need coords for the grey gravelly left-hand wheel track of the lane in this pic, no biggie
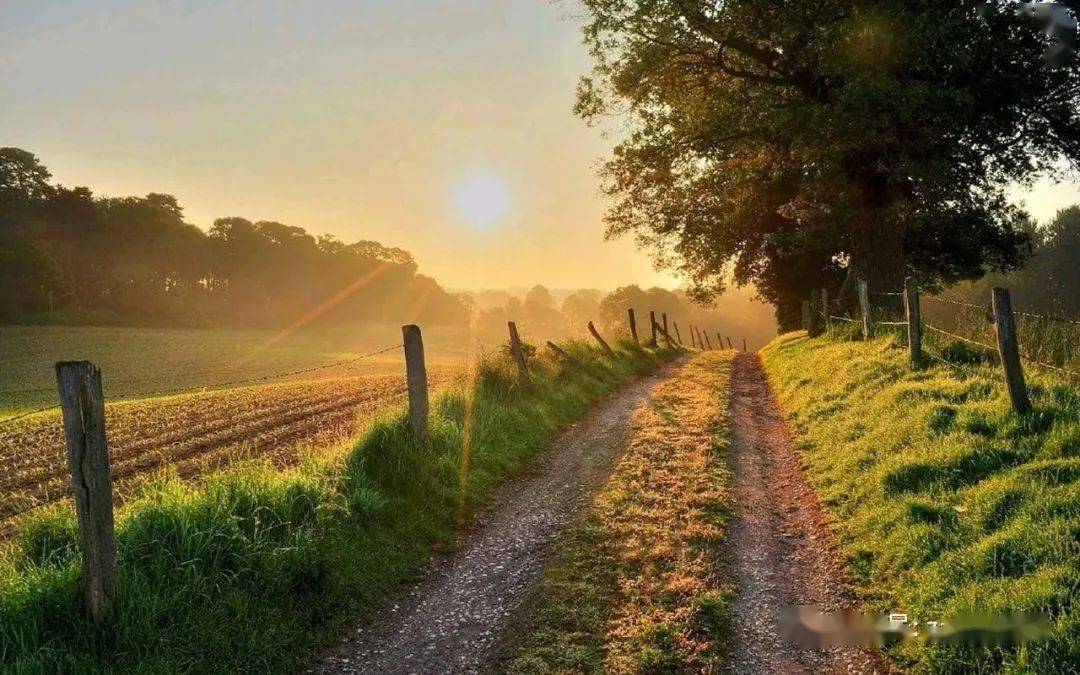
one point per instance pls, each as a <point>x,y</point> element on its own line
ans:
<point>452,622</point>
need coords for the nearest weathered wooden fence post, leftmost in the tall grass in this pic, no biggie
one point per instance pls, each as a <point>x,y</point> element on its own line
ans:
<point>83,403</point>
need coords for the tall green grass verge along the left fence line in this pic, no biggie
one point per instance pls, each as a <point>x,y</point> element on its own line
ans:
<point>255,569</point>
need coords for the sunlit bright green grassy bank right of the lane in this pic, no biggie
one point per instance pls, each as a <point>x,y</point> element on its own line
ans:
<point>946,501</point>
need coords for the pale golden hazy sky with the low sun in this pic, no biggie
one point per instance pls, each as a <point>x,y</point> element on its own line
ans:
<point>442,127</point>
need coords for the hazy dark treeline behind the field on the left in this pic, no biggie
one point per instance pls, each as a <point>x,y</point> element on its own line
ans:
<point>65,253</point>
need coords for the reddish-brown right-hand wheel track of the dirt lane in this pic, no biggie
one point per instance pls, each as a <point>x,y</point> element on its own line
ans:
<point>784,552</point>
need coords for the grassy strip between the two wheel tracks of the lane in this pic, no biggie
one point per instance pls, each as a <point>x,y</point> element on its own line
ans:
<point>638,585</point>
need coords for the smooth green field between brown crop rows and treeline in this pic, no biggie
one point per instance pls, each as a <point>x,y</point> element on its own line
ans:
<point>143,362</point>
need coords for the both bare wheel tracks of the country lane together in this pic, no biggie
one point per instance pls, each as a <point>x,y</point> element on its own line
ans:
<point>458,619</point>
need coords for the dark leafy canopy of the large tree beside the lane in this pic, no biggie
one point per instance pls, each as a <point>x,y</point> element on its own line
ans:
<point>794,144</point>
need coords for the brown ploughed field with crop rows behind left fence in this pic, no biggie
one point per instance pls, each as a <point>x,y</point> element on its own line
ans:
<point>197,431</point>
